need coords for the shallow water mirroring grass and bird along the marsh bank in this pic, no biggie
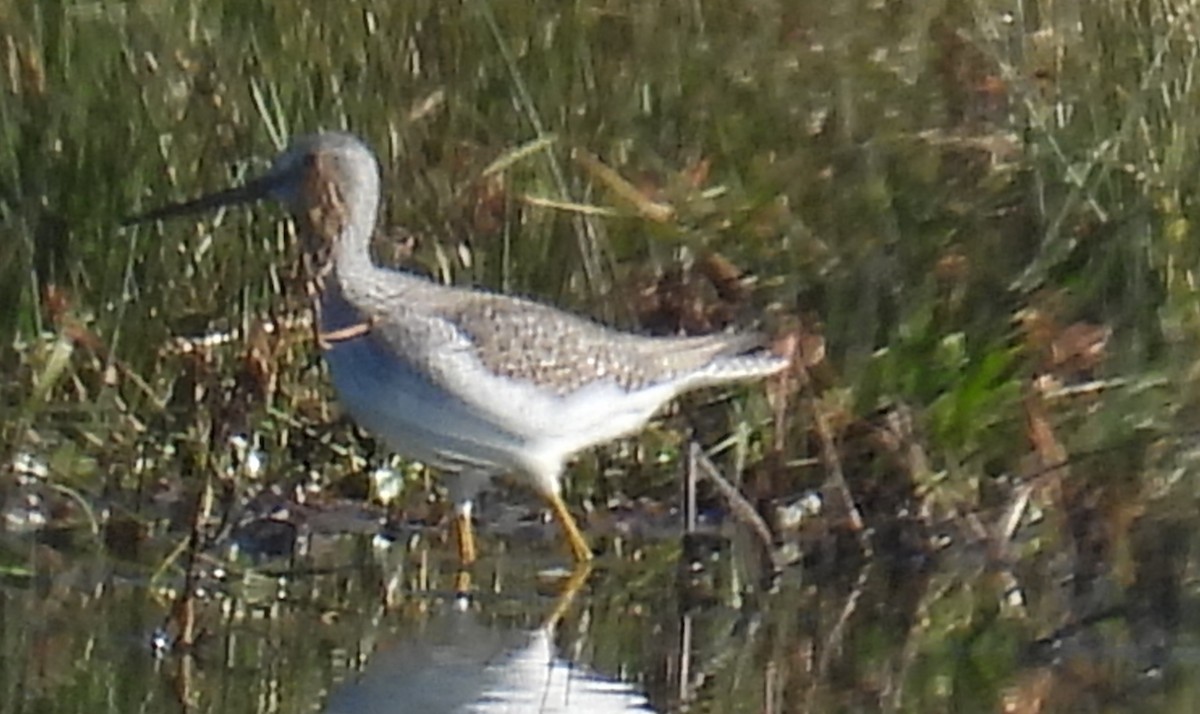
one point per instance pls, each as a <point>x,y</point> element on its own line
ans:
<point>358,628</point>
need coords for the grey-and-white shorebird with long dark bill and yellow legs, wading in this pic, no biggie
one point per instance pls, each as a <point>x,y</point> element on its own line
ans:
<point>475,383</point>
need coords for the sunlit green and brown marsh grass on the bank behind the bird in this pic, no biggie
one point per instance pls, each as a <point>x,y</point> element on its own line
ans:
<point>947,195</point>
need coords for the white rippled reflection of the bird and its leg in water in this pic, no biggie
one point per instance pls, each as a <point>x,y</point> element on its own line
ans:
<point>459,663</point>
